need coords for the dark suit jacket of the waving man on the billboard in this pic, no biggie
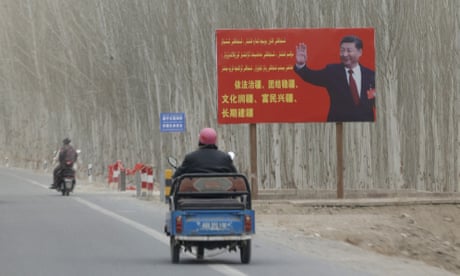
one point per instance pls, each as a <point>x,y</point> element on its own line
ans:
<point>342,107</point>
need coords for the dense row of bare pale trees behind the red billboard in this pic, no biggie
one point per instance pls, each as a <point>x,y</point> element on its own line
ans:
<point>100,72</point>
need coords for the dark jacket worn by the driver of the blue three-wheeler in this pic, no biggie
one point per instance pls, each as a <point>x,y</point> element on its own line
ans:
<point>206,159</point>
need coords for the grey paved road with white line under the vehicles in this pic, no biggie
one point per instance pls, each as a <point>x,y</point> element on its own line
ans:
<point>111,233</point>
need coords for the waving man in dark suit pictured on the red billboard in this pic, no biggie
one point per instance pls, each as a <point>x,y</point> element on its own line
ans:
<point>350,85</point>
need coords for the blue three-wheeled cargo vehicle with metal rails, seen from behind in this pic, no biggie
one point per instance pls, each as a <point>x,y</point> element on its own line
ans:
<point>210,211</point>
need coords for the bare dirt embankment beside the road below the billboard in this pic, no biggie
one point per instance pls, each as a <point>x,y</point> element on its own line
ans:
<point>424,232</point>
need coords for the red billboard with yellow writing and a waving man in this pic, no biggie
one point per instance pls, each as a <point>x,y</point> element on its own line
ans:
<point>295,75</point>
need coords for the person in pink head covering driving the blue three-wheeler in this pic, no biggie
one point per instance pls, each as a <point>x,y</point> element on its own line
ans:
<point>207,158</point>
